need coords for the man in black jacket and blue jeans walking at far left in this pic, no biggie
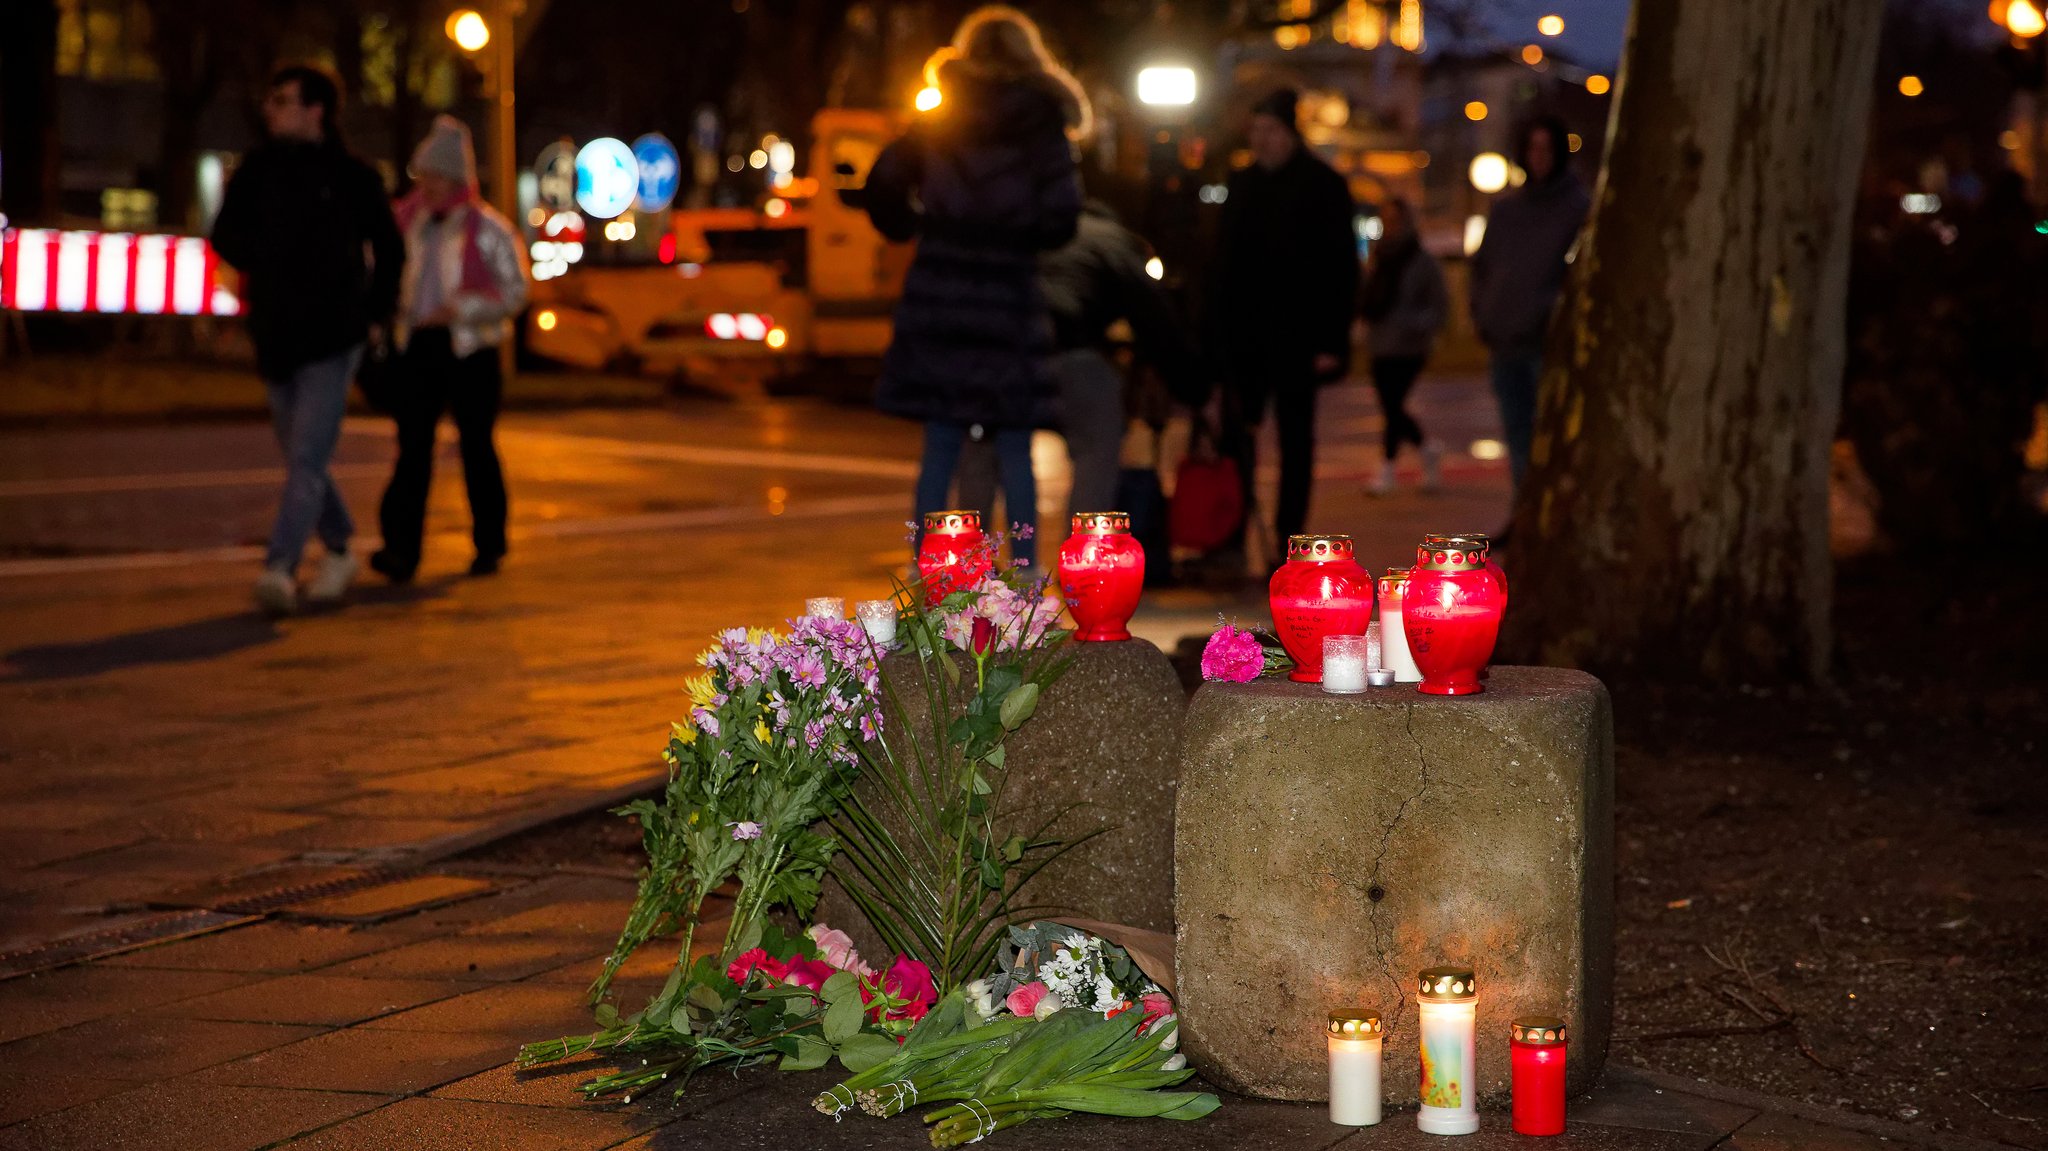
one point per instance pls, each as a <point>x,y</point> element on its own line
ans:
<point>312,235</point>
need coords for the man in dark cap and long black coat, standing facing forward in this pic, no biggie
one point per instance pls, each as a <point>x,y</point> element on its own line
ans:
<point>1283,300</point>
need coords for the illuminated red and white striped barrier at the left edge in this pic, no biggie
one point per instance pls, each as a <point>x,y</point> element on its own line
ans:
<point>120,273</point>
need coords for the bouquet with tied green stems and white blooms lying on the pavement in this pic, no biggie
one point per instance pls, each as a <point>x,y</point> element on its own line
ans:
<point>1070,1039</point>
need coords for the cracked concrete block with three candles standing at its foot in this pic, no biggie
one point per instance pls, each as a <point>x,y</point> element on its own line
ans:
<point>1332,847</point>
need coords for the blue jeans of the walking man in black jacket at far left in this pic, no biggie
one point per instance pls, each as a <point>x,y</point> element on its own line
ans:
<point>306,413</point>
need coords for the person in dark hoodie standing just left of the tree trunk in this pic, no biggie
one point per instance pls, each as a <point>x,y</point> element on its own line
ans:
<point>1521,271</point>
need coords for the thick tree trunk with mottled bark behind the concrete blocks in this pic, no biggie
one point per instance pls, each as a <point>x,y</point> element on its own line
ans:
<point>1674,519</point>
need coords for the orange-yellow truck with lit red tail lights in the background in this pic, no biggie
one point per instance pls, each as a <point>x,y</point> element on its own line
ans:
<point>742,298</point>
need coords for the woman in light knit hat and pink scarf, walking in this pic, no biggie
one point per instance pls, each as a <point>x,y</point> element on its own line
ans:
<point>466,280</point>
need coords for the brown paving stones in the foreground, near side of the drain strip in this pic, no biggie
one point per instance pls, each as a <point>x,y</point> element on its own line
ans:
<point>398,1033</point>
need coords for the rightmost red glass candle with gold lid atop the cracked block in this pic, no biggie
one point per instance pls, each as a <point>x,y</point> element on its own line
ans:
<point>1451,613</point>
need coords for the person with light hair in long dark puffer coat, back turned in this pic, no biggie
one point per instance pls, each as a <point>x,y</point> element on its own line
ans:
<point>986,183</point>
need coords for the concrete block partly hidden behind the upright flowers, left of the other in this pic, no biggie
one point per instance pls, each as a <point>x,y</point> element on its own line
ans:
<point>1103,742</point>
